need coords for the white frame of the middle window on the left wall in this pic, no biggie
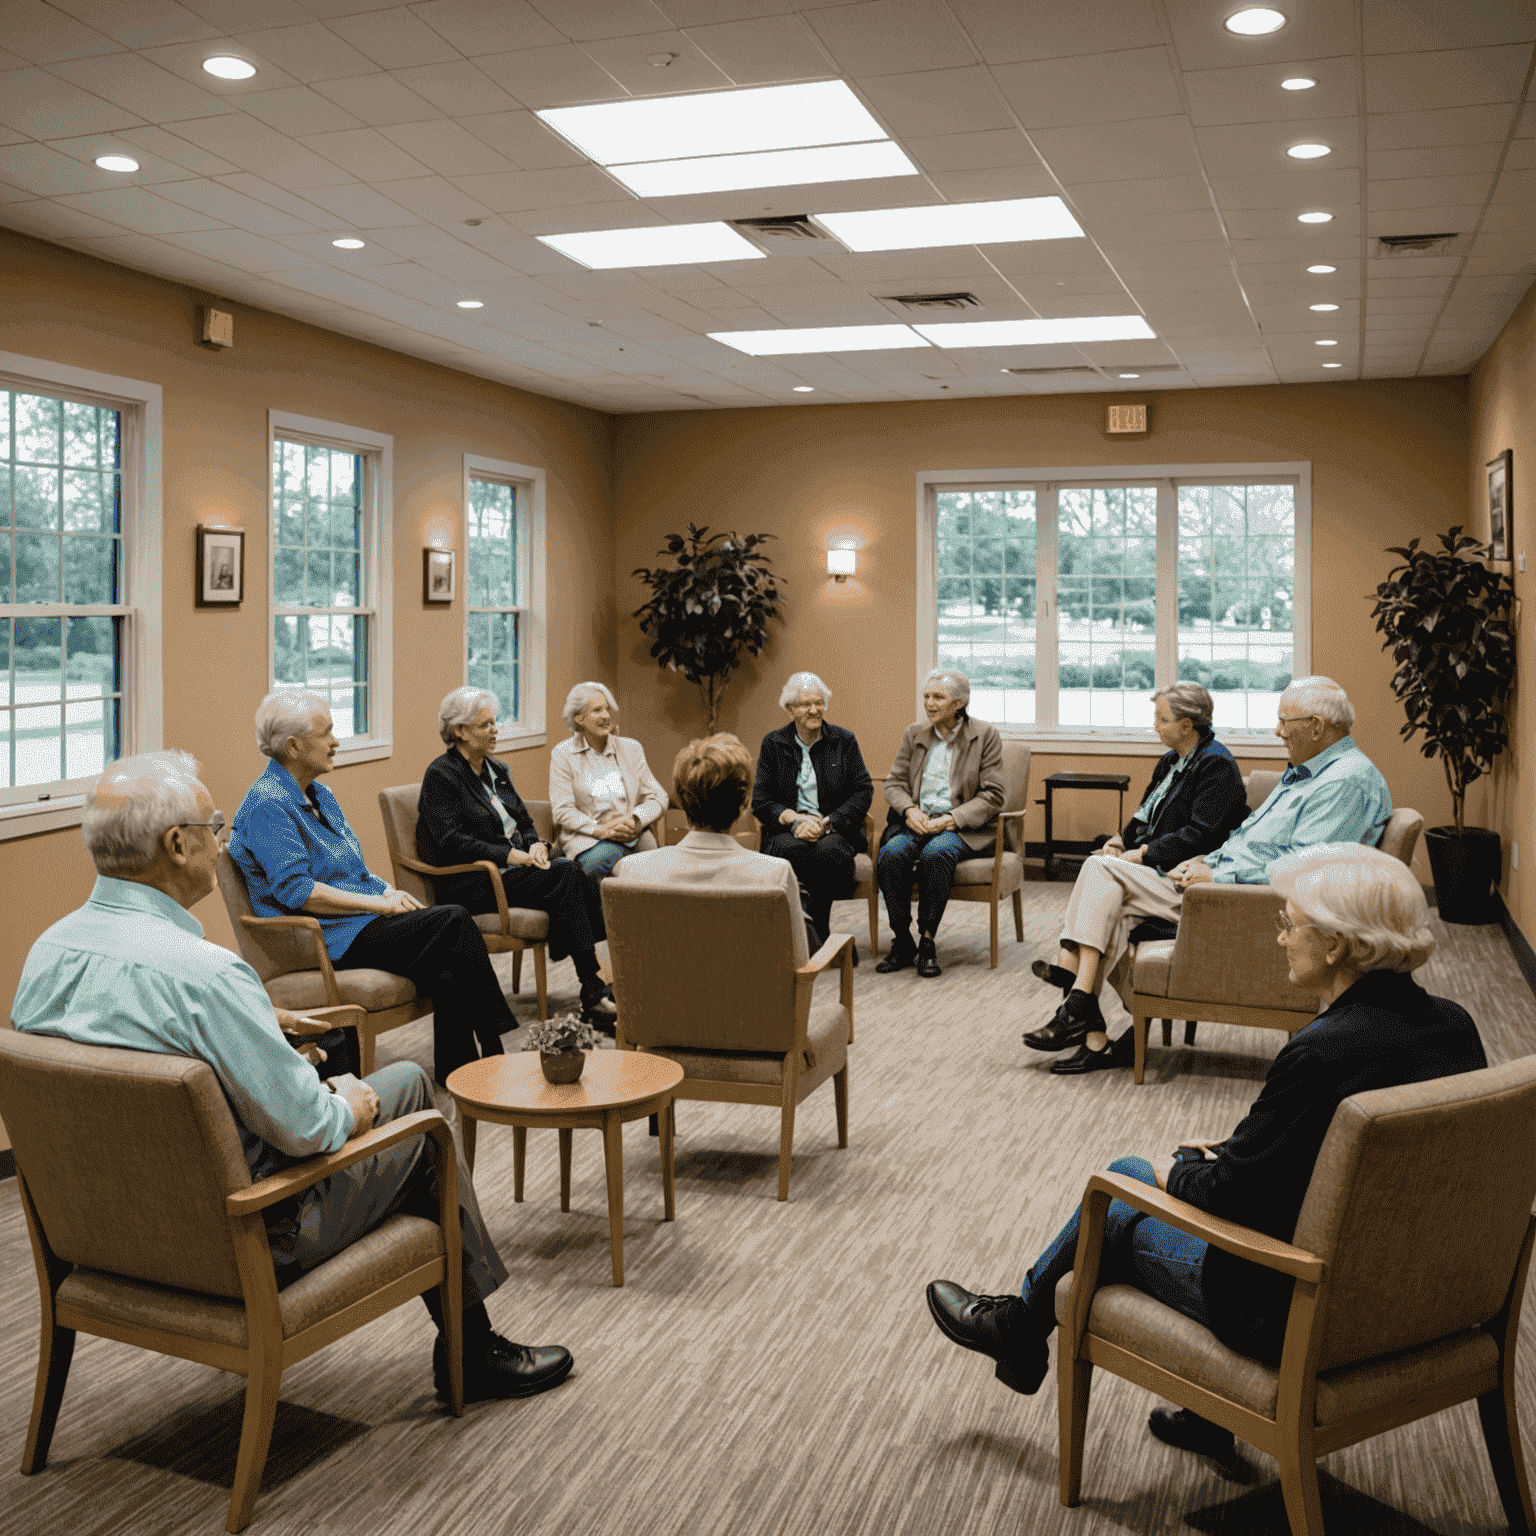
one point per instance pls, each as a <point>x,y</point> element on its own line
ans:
<point>379,563</point>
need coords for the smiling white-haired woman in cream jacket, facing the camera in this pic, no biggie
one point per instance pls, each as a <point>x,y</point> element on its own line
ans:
<point>603,793</point>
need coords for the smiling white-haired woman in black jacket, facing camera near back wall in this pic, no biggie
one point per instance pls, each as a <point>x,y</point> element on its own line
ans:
<point>812,795</point>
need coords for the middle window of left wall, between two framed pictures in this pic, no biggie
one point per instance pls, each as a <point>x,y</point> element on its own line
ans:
<point>331,575</point>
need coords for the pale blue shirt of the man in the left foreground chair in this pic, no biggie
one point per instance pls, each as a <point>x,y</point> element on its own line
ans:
<point>131,968</point>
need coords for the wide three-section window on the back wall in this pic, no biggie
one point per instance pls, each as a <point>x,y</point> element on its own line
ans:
<point>1068,595</point>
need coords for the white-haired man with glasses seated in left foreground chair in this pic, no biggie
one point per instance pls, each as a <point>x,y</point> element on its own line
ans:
<point>133,970</point>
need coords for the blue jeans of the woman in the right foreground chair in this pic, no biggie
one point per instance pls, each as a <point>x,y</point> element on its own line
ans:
<point>1139,1251</point>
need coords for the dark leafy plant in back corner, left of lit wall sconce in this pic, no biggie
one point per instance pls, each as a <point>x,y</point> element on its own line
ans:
<point>710,607</point>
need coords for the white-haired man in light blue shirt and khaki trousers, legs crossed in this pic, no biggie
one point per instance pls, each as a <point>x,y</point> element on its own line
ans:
<point>1332,793</point>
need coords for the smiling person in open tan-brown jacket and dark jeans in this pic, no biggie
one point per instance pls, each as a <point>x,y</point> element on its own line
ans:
<point>945,792</point>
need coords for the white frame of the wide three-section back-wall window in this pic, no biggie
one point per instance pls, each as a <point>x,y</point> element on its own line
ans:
<point>1111,741</point>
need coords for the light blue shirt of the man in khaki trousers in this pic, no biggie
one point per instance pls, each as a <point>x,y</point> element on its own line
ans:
<point>1334,798</point>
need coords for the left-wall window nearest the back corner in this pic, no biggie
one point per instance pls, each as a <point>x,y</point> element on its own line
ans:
<point>505,592</point>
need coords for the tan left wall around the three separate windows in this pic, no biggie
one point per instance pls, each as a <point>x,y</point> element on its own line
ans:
<point>73,310</point>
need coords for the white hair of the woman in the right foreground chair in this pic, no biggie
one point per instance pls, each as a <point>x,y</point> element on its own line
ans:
<point>1363,896</point>
